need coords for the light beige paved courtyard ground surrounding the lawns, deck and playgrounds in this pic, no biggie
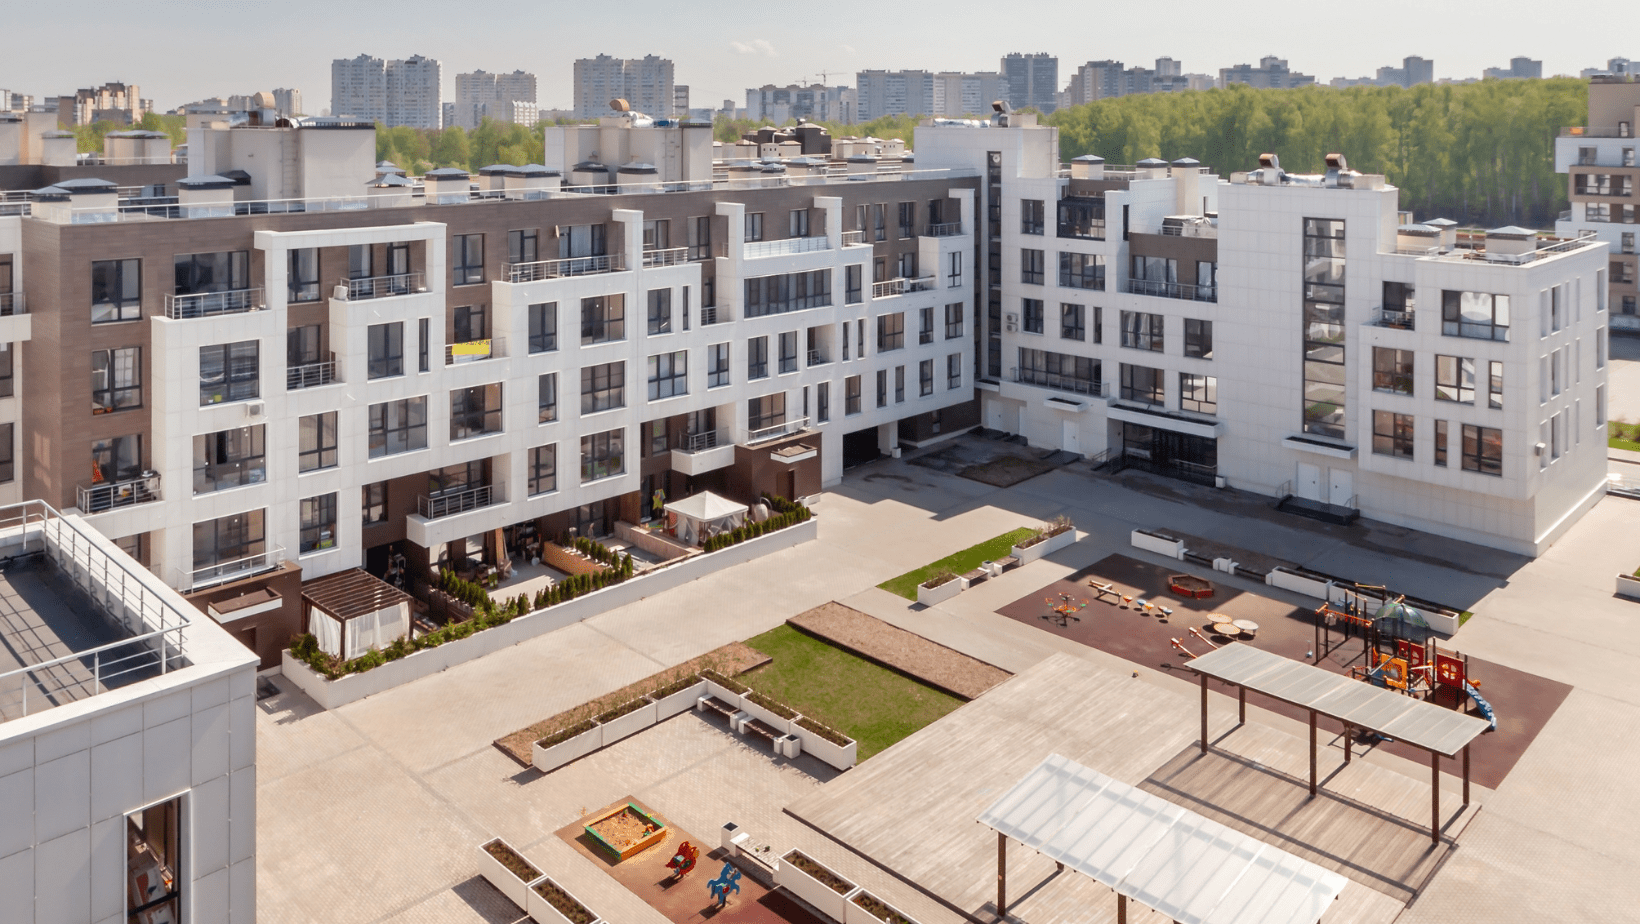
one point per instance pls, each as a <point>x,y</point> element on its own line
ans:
<point>375,812</point>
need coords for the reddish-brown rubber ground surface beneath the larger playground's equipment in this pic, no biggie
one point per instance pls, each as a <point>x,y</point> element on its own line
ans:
<point>1524,703</point>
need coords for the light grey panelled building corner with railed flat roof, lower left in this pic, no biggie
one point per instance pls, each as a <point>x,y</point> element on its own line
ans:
<point>127,739</point>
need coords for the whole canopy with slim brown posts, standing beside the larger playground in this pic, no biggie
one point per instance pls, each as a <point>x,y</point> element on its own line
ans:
<point>1355,705</point>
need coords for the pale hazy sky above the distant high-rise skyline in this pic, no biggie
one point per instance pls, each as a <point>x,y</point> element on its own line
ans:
<point>183,52</point>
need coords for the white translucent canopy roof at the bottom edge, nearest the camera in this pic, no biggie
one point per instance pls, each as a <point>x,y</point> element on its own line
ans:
<point>1167,858</point>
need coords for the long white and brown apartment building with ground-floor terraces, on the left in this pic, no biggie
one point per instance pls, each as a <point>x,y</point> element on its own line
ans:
<point>299,367</point>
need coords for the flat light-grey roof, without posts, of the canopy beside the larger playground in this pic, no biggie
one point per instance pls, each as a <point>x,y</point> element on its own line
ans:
<point>1421,725</point>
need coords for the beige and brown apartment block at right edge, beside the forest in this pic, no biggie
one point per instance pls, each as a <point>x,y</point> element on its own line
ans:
<point>1601,176</point>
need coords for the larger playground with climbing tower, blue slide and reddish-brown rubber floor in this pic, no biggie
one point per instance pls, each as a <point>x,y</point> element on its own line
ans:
<point>1105,606</point>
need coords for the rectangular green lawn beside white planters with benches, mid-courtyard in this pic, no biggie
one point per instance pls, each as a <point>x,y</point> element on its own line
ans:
<point>868,703</point>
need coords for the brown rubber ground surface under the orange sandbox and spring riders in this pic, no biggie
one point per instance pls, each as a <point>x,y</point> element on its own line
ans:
<point>688,900</point>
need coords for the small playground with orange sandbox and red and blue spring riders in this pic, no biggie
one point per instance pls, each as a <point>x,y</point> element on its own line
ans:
<point>678,874</point>
